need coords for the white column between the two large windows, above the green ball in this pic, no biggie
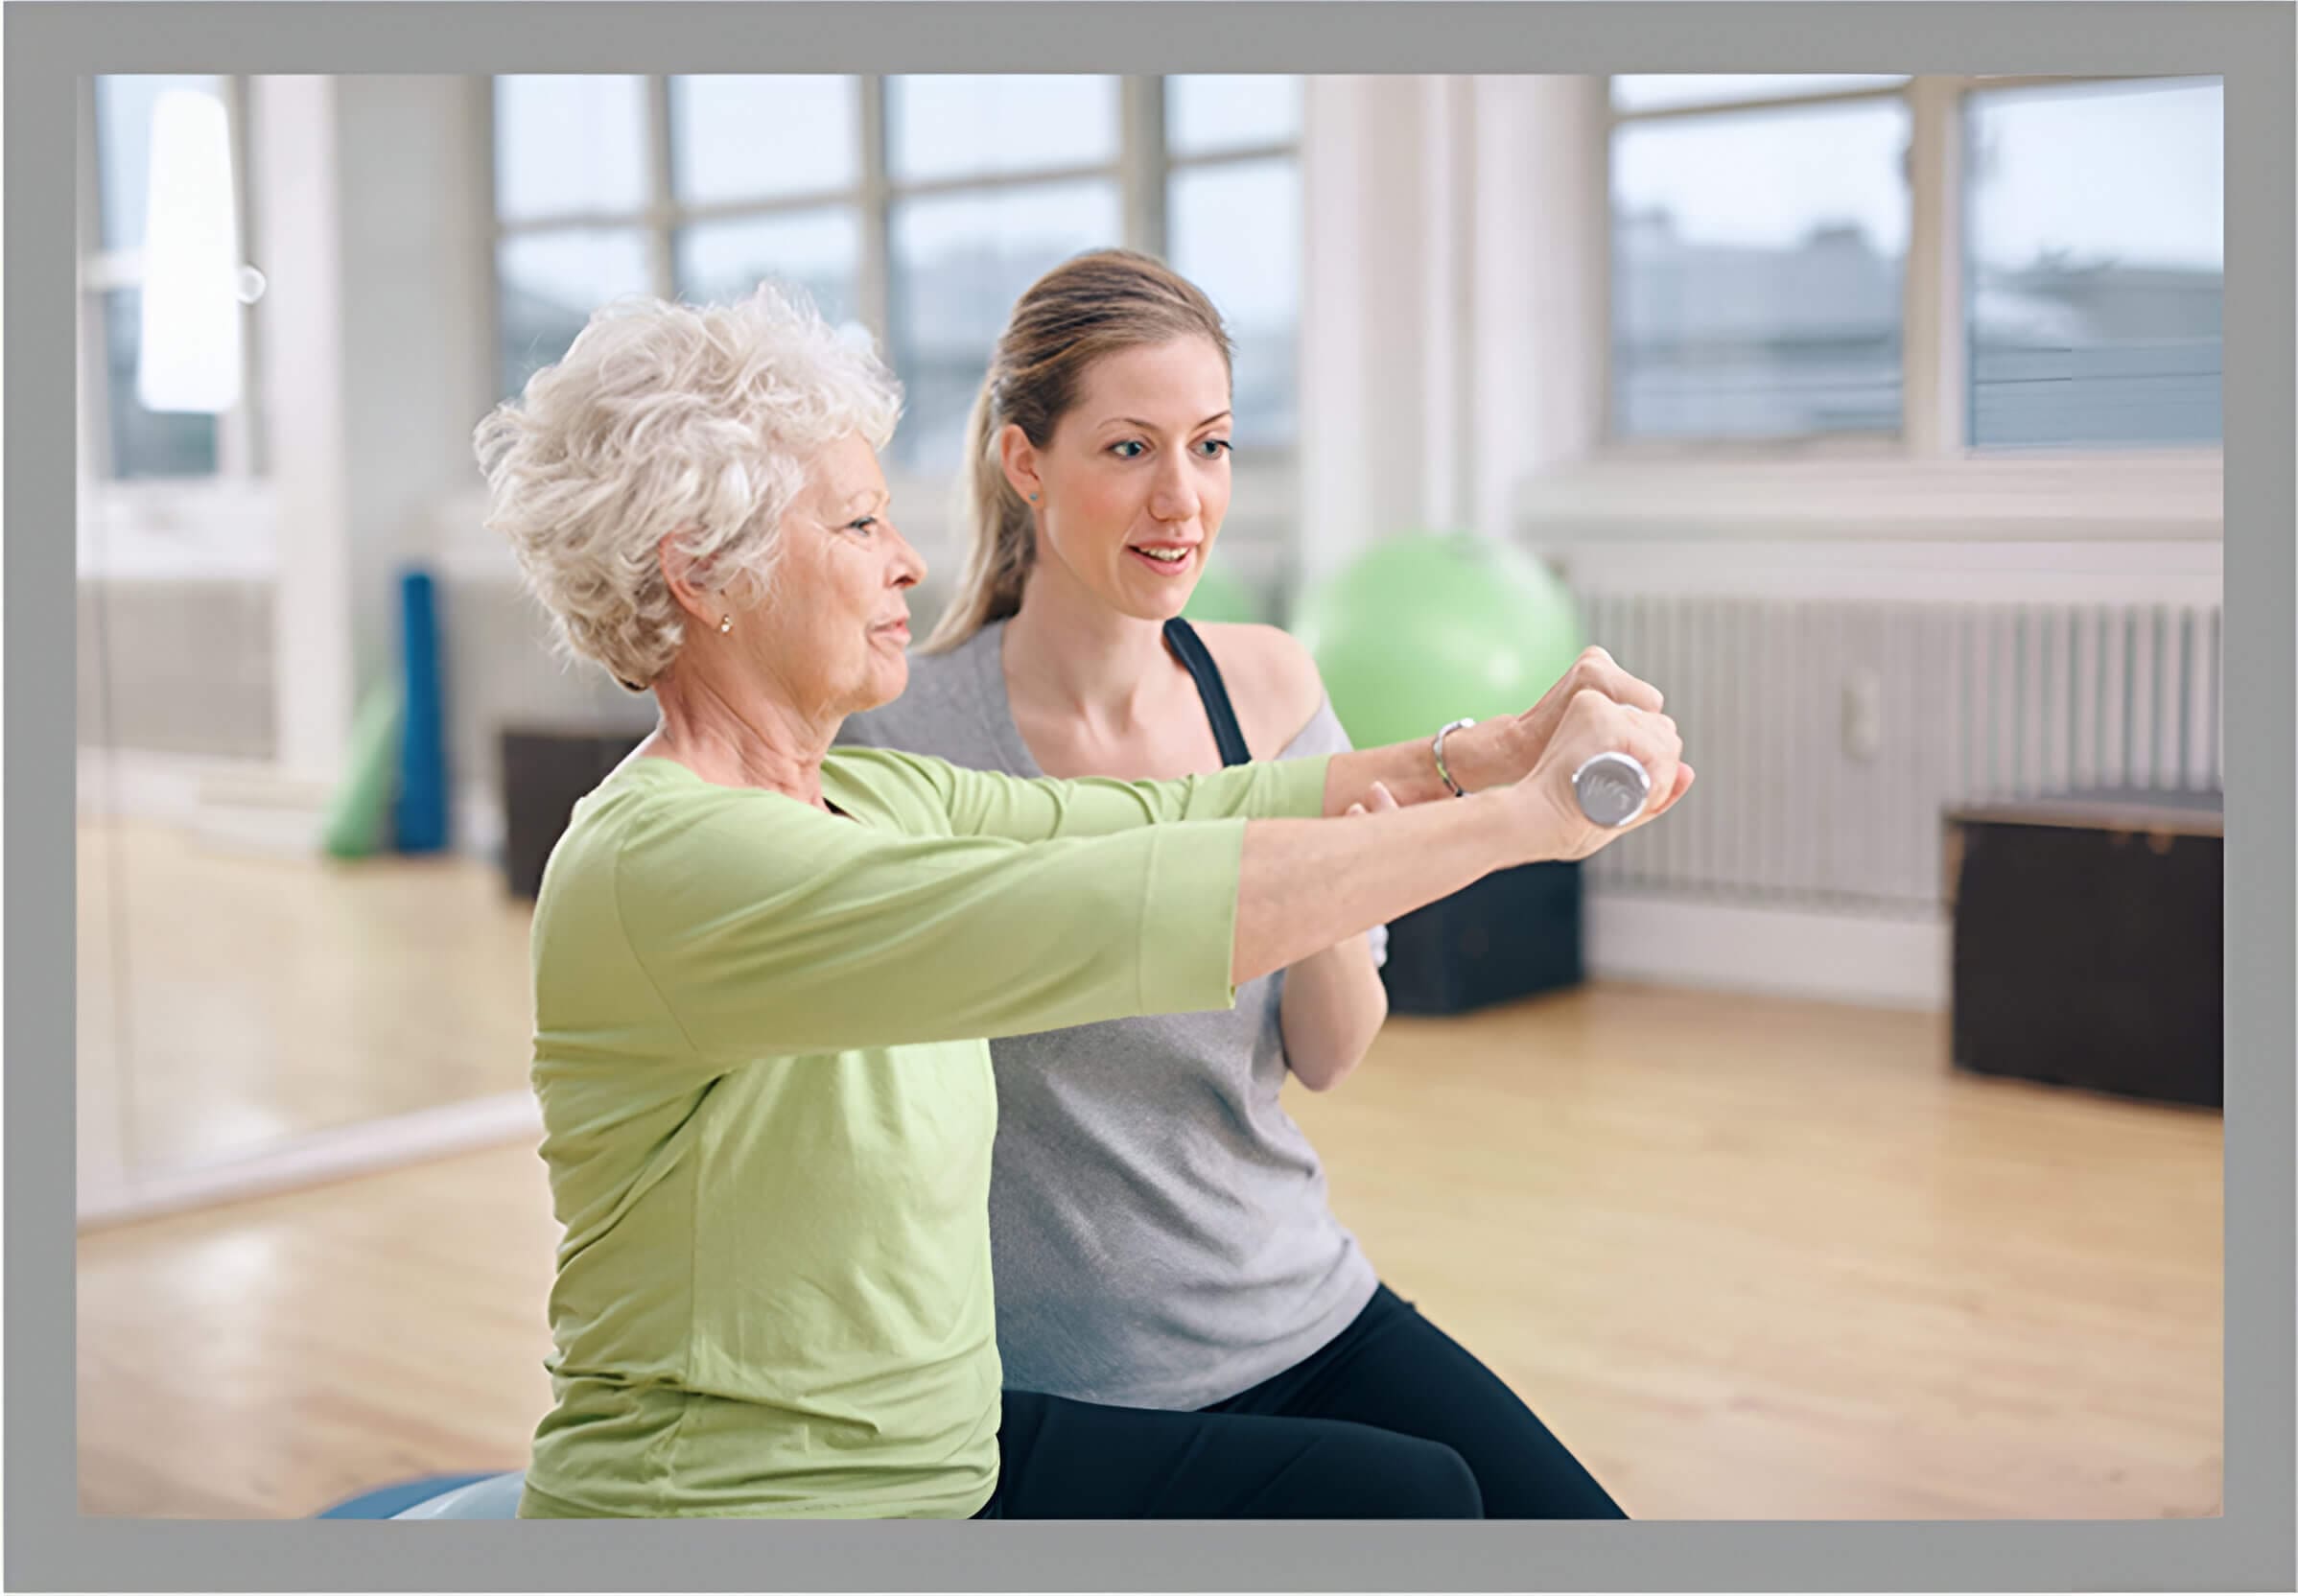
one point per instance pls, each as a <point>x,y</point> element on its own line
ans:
<point>1453,302</point>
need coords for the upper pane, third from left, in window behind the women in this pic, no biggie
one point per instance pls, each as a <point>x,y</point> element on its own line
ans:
<point>996,125</point>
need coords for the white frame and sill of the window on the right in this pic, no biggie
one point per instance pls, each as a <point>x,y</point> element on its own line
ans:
<point>1927,482</point>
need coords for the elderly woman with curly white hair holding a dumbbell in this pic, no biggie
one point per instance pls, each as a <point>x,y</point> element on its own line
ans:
<point>766,972</point>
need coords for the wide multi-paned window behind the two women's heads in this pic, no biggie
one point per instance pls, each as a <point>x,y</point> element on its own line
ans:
<point>916,208</point>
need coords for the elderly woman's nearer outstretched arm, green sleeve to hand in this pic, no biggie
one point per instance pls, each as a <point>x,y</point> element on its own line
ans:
<point>773,928</point>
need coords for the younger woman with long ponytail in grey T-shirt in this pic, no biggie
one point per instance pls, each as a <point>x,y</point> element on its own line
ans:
<point>1159,1225</point>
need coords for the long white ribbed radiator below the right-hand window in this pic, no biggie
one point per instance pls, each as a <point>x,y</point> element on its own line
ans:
<point>1833,732</point>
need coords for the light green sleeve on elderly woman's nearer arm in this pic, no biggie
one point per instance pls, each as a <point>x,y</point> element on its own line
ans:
<point>771,928</point>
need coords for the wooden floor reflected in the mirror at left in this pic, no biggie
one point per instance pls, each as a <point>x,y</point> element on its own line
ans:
<point>233,1002</point>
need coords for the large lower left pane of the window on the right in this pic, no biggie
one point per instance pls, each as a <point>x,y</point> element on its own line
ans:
<point>1757,273</point>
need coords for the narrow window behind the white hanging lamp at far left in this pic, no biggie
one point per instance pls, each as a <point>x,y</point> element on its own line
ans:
<point>125,440</point>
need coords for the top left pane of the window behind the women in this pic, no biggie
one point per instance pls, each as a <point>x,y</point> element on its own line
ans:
<point>569,144</point>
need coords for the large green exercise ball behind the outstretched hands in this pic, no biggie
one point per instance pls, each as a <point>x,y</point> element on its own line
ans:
<point>1437,627</point>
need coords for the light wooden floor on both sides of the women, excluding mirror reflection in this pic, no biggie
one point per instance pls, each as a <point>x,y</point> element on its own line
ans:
<point>1750,1259</point>
